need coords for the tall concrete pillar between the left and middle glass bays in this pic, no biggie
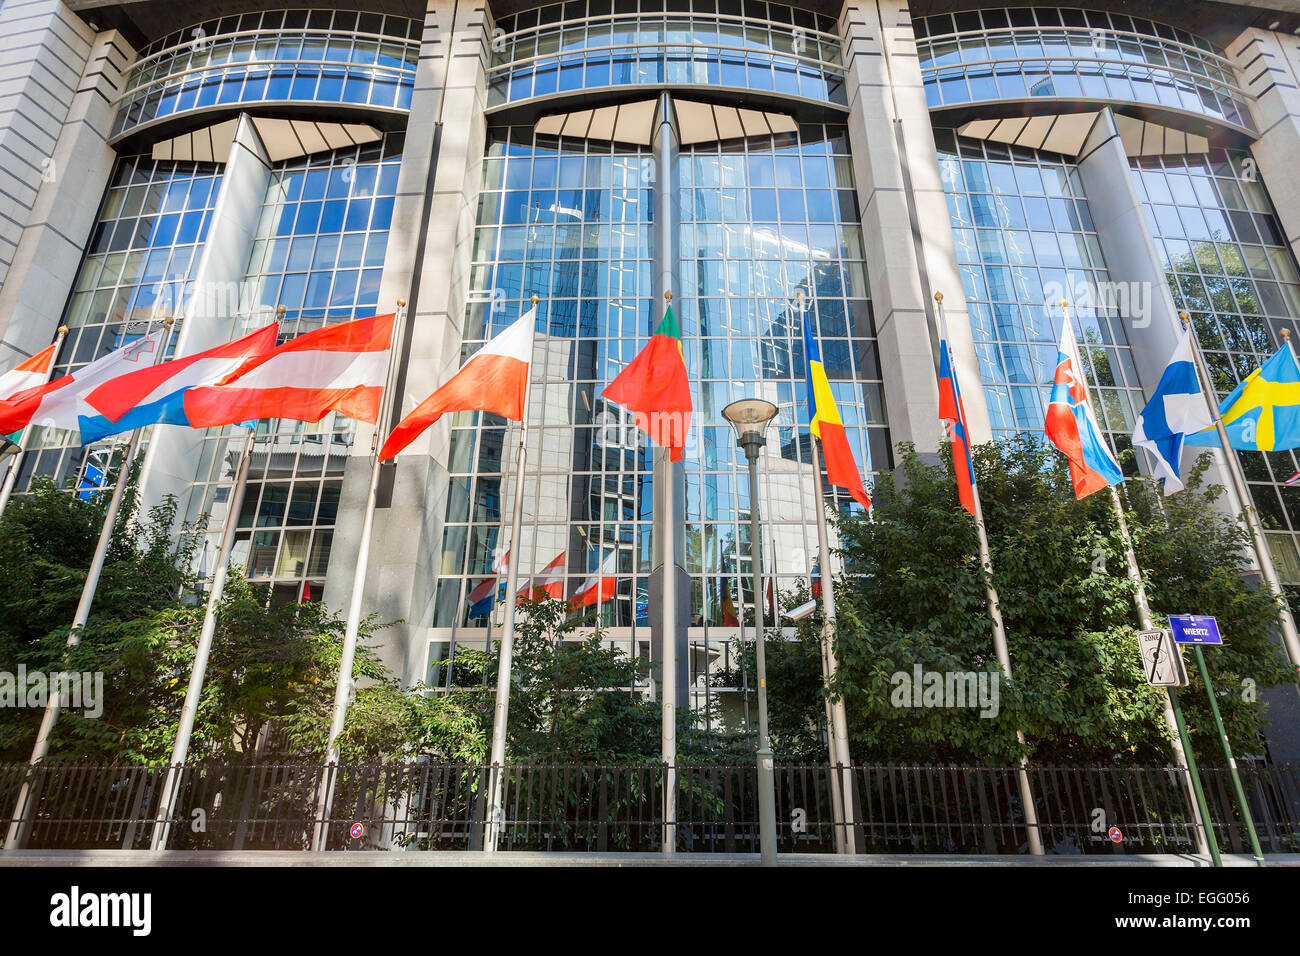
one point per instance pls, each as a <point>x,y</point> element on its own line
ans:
<point>428,265</point>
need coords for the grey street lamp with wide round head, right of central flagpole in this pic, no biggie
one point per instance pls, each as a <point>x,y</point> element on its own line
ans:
<point>751,418</point>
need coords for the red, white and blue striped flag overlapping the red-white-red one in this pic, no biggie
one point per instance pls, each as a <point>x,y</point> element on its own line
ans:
<point>155,396</point>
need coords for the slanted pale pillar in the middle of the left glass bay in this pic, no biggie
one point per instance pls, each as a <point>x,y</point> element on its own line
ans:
<point>213,309</point>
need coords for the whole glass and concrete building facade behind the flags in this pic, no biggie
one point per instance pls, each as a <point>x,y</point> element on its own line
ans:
<point>762,162</point>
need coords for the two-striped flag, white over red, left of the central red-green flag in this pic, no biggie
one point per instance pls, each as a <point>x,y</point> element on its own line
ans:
<point>495,379</point>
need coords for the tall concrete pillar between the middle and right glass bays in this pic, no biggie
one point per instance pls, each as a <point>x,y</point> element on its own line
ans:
<point>905,226</point>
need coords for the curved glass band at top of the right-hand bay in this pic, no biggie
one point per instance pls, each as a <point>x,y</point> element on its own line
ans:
<point>1032,53</point>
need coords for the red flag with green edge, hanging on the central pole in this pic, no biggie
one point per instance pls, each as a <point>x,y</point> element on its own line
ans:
<point>655,388</point>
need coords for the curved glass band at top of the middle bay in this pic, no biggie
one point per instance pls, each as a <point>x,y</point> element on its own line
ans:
<point>759,46</point>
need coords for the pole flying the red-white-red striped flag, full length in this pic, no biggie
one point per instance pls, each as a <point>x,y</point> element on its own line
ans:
<point>344,687</point>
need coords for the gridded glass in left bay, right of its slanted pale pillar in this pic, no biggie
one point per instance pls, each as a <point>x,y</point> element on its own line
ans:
<point>319,252</point>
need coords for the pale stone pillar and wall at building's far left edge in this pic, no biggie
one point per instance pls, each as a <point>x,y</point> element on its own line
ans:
<point>58,81</point>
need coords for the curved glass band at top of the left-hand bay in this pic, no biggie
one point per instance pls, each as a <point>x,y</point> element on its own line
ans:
<point>301,57</point>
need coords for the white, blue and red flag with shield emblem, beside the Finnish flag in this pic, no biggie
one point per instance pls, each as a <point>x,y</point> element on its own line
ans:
<point>1072,426</point>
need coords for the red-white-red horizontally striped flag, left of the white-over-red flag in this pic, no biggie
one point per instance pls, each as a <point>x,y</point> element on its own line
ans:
<point>339,369</point>
